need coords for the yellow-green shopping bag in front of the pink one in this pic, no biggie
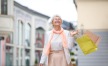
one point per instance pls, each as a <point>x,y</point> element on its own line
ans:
<point>86,44</point>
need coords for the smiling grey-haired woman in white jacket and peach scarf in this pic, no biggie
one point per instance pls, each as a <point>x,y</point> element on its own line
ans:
<point>58,42</point>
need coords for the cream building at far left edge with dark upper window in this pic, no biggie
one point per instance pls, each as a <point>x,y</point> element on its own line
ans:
<point>6,26</point>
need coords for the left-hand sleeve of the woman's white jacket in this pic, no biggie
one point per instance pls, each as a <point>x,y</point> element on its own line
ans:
<point>44,57</point>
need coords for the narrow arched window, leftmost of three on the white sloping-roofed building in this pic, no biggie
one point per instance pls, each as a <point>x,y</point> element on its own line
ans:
<point>20,32</point>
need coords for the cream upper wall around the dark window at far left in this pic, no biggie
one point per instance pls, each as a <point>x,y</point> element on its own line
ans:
<point>6,21</point>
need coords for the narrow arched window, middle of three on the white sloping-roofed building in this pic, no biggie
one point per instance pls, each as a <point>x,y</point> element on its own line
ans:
<point>27,35</point>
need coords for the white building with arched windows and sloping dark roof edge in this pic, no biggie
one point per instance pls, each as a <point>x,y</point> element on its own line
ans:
<point>30,28</point>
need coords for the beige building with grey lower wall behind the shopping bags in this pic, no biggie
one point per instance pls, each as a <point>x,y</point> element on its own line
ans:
<point>92,15</point>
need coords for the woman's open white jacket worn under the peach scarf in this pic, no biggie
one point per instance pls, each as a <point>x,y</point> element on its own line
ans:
<point>70,40</point>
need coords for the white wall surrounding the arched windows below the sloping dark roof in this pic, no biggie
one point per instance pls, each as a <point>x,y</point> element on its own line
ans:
<point>35,21</point>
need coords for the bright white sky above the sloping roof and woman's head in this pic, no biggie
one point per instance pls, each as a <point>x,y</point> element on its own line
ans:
<point>64,8</point>
